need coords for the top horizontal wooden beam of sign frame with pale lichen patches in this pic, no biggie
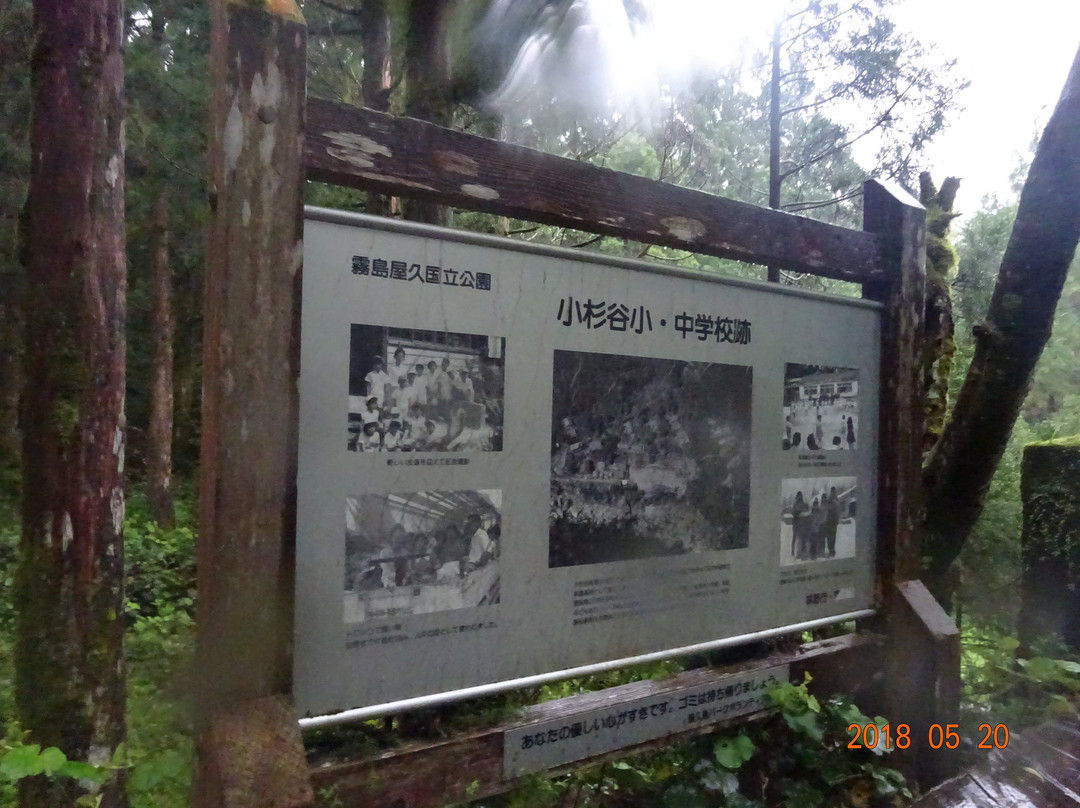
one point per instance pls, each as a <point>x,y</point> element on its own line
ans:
<point>361,149</point>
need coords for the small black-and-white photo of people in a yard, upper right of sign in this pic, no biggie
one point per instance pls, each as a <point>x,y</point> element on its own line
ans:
<point>821,408</point>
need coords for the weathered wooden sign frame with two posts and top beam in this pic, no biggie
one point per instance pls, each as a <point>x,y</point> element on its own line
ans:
<point>249,747</point>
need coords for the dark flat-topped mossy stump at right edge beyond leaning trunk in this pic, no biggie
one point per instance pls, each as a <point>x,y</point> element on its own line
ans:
<point>1050,544</point>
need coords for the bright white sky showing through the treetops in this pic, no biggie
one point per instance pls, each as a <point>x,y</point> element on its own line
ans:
<point>598,59</point>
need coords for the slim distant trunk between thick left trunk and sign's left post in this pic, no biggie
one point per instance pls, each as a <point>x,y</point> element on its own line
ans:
<point>164,326</point>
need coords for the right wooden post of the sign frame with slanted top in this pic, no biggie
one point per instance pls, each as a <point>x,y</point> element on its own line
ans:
<point>923,667</point>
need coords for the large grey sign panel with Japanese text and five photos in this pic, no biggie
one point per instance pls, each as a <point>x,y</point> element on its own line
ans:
<point>517,460</point>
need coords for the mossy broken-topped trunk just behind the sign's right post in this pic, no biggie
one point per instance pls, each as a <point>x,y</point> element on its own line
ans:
<point>938,345</point>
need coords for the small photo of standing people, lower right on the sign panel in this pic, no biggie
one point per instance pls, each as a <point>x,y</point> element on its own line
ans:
<point>818,520</point>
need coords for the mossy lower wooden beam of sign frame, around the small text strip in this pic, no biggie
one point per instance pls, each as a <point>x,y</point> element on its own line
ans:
<point>471,766</point>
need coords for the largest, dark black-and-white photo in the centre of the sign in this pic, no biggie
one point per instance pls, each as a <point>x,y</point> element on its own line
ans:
<point>650,457</point>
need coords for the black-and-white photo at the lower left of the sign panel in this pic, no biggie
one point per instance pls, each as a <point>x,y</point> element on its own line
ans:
<point>421,553</point>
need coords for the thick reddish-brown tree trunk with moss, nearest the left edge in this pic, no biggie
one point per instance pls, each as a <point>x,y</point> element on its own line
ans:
<point>70,665</point>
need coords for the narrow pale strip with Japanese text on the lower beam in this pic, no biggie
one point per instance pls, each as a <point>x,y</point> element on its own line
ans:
<point>557,743</point>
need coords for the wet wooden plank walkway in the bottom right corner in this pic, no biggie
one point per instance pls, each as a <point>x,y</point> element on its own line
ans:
<point>1041,769</point>
